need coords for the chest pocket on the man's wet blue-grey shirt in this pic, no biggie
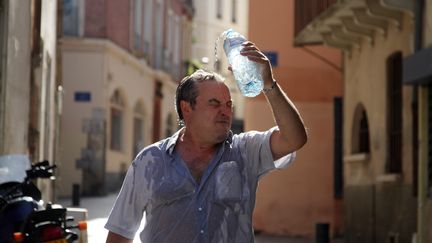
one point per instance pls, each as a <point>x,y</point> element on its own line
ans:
<point>228,186</point>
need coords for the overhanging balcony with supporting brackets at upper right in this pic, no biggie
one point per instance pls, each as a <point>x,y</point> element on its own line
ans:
<point>344,24</point>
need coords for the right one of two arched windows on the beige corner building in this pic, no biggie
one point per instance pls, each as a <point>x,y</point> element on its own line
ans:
<point>138,126</point>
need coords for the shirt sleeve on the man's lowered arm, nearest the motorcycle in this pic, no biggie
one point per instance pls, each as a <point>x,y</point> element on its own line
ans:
<point>127,212</point>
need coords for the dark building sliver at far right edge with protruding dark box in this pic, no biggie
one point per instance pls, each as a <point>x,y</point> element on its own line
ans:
<point>418,74</point>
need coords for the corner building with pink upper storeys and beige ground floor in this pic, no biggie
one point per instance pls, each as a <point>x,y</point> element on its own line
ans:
<point>122,61</point>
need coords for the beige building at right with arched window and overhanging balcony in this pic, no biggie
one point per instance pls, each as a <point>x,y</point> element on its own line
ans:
<point>380,150</point>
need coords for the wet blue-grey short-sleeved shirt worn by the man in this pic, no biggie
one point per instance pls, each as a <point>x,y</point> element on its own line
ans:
<point>178,209</point>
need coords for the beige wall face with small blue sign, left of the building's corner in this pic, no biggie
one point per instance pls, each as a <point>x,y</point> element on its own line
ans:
<point>82,71</point>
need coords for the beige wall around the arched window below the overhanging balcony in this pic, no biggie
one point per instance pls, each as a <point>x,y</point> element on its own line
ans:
<point>366,84</point>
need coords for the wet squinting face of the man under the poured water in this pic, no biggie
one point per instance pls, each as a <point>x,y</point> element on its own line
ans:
<point>211,116</point>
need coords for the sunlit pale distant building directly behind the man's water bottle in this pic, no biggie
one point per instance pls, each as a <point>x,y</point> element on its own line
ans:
<point>212,18</point>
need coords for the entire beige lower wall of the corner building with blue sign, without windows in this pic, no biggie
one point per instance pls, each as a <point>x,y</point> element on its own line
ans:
<point>101,67</point>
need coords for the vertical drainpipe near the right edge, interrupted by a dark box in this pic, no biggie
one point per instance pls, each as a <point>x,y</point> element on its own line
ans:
<point>419,94</point>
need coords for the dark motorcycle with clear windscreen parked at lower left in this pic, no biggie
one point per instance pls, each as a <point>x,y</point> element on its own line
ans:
<point>23,217</point>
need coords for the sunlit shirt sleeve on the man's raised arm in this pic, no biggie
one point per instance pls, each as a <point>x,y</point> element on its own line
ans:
<point>255,147</point>
